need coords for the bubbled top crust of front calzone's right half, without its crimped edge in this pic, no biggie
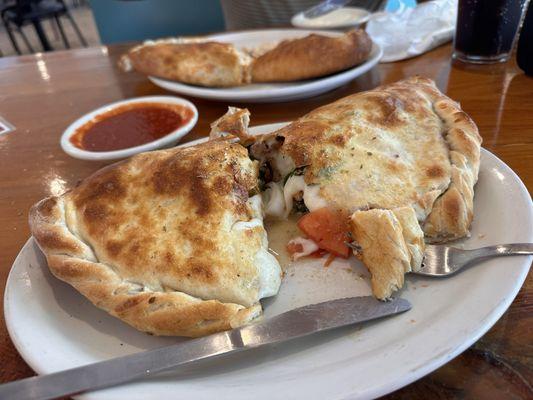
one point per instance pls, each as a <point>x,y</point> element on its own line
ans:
<point>384,148</point>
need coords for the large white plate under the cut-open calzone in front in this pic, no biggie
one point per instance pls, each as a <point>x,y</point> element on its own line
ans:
<point>55,328</point>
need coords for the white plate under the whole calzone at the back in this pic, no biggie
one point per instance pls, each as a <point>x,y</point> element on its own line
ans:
<point>271,92</point>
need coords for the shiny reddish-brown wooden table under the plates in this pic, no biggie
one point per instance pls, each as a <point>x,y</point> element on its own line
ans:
<point>42,94</point>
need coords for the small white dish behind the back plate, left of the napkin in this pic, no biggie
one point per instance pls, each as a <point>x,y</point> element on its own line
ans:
<point>342,18</point>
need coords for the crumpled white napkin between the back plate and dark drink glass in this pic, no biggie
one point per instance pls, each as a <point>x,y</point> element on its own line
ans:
<point>413,31</point>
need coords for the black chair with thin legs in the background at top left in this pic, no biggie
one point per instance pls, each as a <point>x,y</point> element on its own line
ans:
<point>24,12</point>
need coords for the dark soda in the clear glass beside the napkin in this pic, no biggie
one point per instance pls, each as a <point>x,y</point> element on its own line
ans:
<point>486,29</point>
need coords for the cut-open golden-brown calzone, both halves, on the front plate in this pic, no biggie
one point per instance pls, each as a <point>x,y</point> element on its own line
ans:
<point>172,242</point>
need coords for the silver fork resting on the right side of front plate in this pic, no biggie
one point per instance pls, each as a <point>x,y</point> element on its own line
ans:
<point>445,261</point>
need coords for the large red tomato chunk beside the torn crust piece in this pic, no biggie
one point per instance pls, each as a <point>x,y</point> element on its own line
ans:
<point>328,228</point>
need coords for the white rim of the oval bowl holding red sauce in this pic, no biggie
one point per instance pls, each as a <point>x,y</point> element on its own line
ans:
<point>165,141</point>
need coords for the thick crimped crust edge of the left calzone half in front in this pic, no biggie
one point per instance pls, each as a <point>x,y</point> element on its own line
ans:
<point>160,313</point>
